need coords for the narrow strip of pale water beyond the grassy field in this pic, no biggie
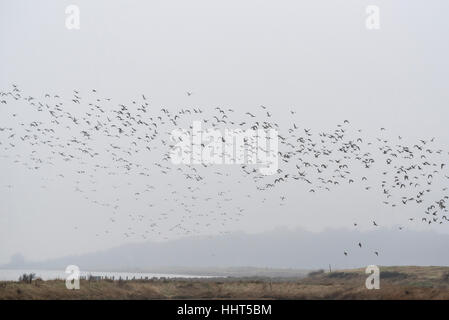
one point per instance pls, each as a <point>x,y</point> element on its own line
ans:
<point>13,275</point>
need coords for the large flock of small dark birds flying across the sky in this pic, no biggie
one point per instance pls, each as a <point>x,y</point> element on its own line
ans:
<point>98,139</point>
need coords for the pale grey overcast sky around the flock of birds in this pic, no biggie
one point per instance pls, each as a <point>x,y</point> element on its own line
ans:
<point>316,58</point>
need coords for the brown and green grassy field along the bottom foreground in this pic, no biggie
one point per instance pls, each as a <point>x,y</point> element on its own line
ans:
<point>395,283</point>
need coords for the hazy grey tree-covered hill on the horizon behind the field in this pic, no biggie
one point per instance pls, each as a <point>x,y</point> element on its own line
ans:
<point>284,250</point>
